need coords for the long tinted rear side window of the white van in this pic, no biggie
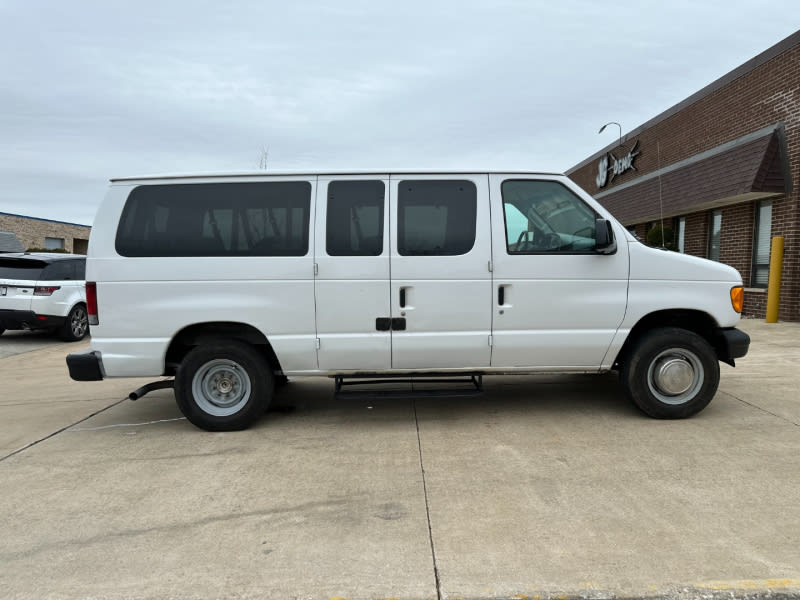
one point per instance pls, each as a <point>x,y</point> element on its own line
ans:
<point>216,219</point>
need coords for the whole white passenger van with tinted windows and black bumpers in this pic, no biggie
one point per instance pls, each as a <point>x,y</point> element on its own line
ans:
<point>232,283</point>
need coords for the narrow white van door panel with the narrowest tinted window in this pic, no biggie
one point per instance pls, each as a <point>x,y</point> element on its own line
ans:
<point>352,273</point>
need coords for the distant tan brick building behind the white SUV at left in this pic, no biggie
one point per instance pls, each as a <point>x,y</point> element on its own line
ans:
<point>45,233</point>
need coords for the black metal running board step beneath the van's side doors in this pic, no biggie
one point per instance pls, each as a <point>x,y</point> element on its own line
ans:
<point>470,384</point>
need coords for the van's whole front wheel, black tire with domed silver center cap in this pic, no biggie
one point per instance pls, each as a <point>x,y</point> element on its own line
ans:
<point>670,373</point>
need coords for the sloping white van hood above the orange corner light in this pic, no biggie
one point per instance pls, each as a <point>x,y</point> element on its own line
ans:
<point>658,264</point>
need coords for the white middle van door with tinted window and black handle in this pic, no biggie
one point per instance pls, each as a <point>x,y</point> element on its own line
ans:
<point>441,285</point>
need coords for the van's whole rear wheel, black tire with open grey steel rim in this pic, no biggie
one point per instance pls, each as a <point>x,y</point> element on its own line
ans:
<point>223,386</point>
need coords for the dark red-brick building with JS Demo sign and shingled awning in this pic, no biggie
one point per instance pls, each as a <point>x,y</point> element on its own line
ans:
<point>722,169</point>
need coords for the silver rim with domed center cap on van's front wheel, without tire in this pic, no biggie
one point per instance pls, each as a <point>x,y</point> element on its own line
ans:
<point>675,376</point>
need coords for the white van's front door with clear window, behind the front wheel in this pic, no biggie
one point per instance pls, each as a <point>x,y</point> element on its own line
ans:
<point>557,301</point>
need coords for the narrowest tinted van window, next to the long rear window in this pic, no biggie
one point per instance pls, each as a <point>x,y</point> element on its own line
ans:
<point>355,218</point>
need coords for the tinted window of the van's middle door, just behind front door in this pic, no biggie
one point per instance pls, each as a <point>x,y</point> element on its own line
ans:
<point>436,218</point>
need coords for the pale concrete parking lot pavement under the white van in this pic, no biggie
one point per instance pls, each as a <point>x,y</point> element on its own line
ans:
<point>549,486</point>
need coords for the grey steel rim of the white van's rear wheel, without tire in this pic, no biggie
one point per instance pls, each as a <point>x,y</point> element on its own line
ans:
<point>221,387</point>
